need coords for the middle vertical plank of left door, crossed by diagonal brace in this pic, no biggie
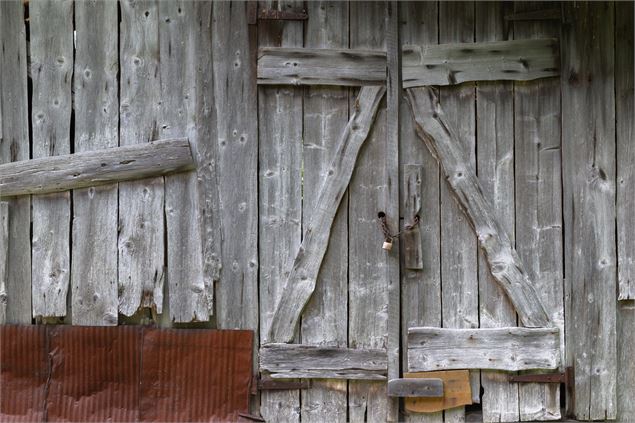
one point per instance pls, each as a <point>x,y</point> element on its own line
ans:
<point>324,321</point>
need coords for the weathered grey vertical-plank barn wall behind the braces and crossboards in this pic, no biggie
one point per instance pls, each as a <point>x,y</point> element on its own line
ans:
<point>555,157</point>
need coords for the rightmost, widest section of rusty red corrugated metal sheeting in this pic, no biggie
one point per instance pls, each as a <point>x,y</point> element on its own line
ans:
<point>207,378</point>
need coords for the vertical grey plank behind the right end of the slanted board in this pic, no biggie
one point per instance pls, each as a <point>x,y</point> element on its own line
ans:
<point>187,95</point>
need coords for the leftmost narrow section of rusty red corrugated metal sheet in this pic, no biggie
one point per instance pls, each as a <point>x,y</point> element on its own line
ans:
<point>23,373</point>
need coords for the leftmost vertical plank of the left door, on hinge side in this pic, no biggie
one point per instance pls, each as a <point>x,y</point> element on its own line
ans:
<point>280,197</point>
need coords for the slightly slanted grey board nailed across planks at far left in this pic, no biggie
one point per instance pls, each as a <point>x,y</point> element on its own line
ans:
<point>92,168</point>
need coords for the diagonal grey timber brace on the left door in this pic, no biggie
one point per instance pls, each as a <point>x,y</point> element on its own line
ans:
<point>306,265</point>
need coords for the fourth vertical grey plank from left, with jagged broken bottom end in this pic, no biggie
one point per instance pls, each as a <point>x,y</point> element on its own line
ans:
<point>141,225</point>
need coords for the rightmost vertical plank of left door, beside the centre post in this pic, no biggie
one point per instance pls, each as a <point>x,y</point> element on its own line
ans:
<point>368,194</point>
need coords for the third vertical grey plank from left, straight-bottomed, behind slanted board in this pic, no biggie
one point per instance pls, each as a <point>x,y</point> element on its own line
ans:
<point>94,233</point>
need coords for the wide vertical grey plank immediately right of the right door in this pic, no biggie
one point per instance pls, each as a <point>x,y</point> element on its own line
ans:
<point>588,156</point>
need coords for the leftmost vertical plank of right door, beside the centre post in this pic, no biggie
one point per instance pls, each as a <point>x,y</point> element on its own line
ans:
<point>420,289</point>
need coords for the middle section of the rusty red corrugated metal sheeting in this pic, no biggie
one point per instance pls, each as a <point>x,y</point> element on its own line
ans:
<point>94,374</point>
